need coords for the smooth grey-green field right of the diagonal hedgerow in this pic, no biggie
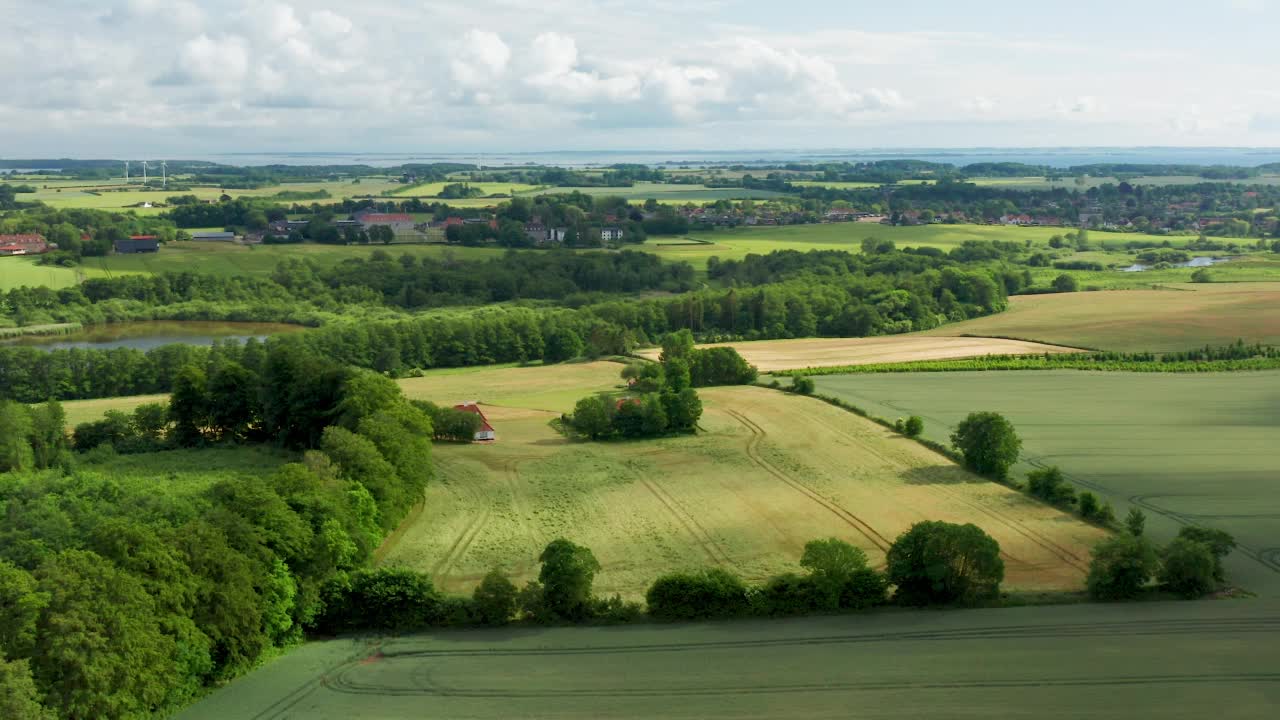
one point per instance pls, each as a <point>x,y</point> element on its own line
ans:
<point>1187,449</point>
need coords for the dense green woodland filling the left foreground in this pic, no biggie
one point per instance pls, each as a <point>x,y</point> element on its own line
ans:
<point>125,599</point>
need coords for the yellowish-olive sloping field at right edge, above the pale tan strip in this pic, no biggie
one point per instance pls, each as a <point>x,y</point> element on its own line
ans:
<point>1181,317</point>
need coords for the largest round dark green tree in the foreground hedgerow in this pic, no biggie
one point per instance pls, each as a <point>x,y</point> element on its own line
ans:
<point>944,563</point>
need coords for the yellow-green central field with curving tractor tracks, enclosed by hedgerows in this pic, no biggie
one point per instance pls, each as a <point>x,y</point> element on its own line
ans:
<point>770,473</point>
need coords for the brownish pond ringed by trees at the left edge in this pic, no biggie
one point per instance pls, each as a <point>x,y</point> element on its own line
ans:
<point>154,334</point>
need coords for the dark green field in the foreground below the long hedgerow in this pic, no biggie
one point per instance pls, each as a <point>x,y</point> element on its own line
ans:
<point>1187,660</point>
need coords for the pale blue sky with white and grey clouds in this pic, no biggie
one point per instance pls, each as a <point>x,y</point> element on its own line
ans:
<point>107,79</point>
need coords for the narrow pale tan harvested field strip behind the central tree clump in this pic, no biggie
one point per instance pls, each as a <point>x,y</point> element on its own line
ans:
<point>771,356</point>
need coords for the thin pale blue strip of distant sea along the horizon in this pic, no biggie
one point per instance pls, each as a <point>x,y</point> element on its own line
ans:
<point>1052,157</point>
